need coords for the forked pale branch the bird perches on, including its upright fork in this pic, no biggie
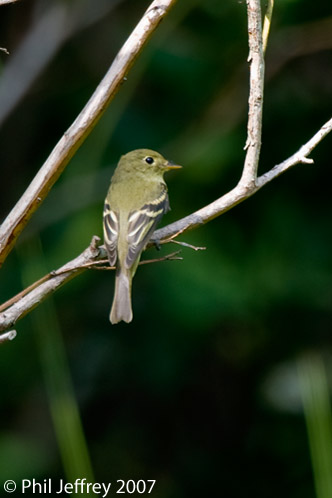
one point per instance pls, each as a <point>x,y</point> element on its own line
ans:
<point>33,295</point>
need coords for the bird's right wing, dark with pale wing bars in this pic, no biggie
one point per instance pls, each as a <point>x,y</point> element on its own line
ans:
<point>141,225</point>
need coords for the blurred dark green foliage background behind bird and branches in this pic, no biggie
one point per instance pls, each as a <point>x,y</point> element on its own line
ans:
<point>221,382</point>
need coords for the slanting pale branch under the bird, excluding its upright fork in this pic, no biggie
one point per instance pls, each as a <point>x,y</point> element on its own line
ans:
<point>25,301</point>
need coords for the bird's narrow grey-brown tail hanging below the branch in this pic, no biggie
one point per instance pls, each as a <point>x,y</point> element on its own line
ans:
<point>121,307</point>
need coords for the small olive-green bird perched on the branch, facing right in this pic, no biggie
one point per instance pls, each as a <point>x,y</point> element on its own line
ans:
<point>136,201</point>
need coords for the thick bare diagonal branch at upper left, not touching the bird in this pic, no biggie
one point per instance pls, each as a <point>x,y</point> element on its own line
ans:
<point>82,126</point>
